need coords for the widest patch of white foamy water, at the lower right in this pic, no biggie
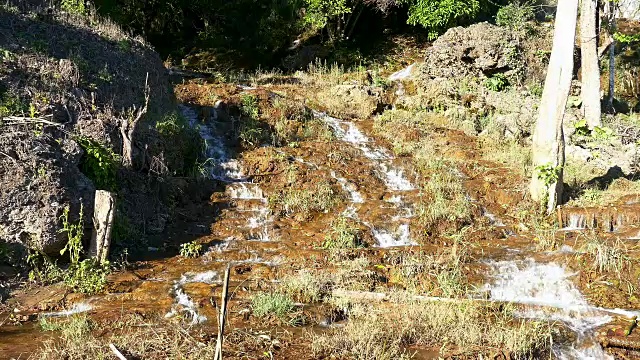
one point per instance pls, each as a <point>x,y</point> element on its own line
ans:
<point>548,288</point>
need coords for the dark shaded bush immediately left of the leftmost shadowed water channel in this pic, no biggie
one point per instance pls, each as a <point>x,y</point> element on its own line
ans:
<point>182,144</point>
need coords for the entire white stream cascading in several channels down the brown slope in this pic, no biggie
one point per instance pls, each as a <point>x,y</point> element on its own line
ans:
<point>544,289</point>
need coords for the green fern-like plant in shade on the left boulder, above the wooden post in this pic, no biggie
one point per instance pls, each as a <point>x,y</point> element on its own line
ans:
<point>99,163</point>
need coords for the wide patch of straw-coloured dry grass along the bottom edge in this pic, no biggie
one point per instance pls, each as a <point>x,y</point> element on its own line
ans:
<point>385,331</point>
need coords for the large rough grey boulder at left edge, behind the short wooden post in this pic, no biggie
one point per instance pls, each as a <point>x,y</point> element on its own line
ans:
<point>39,177</point>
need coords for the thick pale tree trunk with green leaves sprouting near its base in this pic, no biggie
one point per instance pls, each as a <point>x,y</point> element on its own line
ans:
<point>548,138</point>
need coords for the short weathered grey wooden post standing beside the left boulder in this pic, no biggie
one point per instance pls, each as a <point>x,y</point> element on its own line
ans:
<point>103,214</point>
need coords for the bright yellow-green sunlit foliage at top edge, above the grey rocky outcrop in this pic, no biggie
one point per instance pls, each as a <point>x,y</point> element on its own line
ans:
<point>438,15</point>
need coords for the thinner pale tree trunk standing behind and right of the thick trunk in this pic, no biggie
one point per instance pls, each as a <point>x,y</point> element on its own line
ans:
<point>590,68</point>
